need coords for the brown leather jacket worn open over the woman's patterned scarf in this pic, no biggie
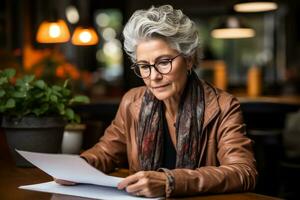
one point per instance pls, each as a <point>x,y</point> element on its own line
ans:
<point>227,161</point>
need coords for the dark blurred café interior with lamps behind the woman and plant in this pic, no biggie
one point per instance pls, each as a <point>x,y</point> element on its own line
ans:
<point>253,54</point>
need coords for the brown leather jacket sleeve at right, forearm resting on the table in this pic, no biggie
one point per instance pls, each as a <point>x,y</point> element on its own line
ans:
<point>237,169</point>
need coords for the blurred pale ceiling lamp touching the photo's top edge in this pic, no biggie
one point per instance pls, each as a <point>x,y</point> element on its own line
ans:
<point>255,6</point>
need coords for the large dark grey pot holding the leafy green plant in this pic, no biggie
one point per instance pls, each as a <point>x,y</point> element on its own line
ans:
<point>37,134</point>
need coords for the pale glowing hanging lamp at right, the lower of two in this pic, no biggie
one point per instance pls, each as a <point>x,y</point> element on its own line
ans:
<point>232,28</point>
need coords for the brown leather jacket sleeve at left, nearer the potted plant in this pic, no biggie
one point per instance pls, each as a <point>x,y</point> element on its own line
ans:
<point>110,151</point>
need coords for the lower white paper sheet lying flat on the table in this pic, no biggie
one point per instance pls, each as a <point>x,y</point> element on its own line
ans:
<point>83,190</point>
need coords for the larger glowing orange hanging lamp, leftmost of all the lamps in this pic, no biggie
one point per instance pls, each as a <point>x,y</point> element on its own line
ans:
<point>53,32</point>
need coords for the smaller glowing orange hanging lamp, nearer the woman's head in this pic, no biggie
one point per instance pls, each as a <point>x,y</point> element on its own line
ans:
<point>85,36</point>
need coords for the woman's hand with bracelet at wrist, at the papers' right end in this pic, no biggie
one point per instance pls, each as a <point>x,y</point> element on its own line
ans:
<point>145,183</point>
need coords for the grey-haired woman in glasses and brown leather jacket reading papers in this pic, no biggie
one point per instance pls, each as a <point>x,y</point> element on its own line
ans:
<point>179,135</point>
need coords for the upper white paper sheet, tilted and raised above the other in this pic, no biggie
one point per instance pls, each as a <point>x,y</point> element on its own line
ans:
<point>70,168</point>
